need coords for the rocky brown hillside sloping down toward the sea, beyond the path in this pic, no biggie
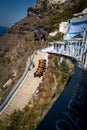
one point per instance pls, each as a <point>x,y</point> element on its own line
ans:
<point>22,40</point>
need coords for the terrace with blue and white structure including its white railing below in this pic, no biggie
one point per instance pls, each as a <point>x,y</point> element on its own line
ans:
<point>75,41</point>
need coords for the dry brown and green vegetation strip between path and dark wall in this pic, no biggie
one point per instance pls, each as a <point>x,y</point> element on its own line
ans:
<point>54,81</point>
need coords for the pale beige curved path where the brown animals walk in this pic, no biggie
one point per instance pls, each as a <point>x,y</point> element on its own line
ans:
<point>26,89</point>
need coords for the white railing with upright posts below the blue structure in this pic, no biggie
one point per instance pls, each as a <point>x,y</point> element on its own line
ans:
<point>77,51</point>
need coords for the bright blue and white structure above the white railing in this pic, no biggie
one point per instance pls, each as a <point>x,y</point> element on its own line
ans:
<point>77,27</point>
